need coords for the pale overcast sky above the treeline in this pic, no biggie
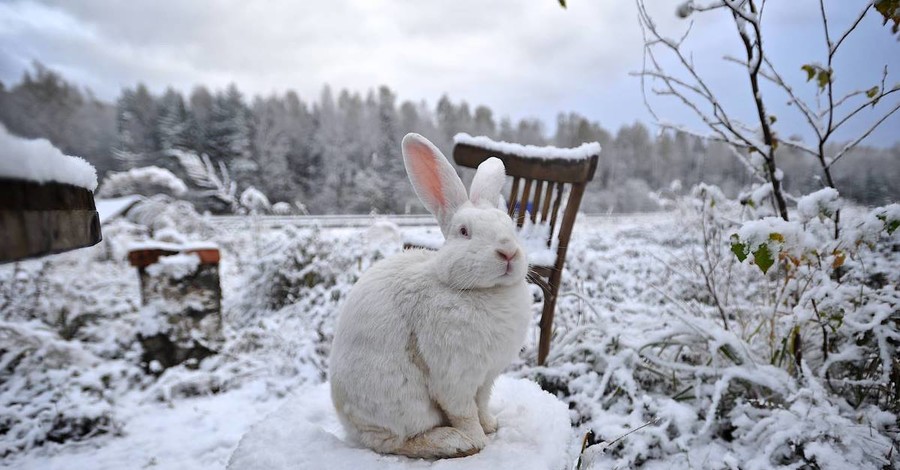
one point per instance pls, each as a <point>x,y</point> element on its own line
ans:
<point>525,58</point>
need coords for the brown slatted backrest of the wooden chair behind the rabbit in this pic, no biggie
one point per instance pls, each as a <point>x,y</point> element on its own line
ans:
<point>540,186</point>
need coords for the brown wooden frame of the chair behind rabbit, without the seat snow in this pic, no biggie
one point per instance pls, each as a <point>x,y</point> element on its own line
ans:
<point>544,184</point>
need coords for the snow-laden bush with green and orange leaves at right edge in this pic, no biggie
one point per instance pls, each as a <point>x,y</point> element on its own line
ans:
<point>831,314</point>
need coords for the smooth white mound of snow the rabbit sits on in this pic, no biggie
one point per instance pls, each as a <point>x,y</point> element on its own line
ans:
<point>305,433</point>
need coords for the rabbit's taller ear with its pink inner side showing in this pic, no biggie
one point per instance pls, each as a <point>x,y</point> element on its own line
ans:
<point>433,178</point>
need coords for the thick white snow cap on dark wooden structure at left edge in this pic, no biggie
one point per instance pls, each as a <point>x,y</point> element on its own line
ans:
<point>38,160</point>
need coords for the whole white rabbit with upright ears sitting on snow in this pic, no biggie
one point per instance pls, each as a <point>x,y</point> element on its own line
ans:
<point>423,334</point>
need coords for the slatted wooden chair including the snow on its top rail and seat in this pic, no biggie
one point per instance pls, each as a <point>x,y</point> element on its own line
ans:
<point>544,180</point>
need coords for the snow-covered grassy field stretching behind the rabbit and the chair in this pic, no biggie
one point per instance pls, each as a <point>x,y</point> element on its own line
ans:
<point>69,359</point>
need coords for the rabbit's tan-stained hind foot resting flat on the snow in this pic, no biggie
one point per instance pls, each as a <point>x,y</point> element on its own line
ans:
<point>436,443</point>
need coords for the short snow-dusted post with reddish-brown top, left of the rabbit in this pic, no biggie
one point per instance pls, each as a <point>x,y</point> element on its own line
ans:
<point>181,296</point>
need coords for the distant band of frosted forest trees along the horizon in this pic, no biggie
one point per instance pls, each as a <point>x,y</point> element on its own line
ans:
<point>340,152</point>
